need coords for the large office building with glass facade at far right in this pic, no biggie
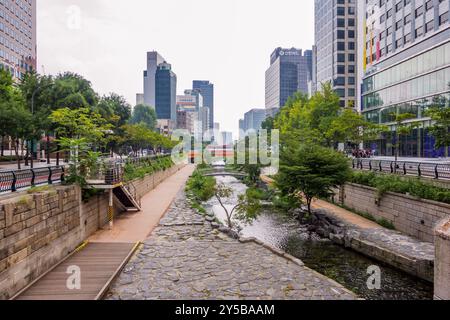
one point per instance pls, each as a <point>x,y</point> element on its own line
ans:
<point>408,70</point>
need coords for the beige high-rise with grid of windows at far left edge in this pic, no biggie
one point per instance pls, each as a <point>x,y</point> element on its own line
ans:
<point>18,37</point>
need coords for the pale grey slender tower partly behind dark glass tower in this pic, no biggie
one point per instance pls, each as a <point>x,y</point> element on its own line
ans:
<point>149,96</point>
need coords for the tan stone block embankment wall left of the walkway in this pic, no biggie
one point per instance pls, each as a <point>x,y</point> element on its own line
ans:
<point>39,230</point>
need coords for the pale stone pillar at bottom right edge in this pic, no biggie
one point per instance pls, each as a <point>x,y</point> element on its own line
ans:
<point>442,261</point>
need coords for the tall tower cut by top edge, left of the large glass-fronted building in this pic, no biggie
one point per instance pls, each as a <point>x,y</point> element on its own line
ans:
<point>336,32</point>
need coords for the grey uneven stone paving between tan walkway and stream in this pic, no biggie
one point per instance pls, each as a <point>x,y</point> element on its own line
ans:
<point>185,258</point>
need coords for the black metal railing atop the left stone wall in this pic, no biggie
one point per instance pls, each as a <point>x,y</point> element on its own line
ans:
<point>15,180</point>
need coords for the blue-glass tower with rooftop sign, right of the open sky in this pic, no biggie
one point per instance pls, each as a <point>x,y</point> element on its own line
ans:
<point>289,72</point>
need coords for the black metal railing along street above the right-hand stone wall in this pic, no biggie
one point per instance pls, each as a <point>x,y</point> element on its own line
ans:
<point>440,171</point>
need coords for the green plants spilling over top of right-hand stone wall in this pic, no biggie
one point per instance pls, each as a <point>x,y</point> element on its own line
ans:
<point>391,183</point>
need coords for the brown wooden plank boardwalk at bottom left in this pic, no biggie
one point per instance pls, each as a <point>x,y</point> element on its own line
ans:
<point>98,263</point>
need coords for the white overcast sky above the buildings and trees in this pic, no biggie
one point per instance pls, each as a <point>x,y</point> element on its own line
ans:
<point>228,42</point>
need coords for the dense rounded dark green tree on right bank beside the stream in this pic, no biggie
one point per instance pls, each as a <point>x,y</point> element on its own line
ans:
<point>310,171</point>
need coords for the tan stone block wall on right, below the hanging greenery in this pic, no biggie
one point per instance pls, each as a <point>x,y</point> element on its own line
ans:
<point>415,217</point>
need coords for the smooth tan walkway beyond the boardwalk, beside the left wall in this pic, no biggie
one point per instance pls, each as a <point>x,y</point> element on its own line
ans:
<point>134,227</point>
